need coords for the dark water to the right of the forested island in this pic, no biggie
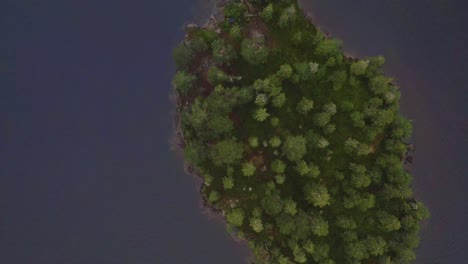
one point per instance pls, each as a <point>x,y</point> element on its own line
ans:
<point>425,43</point>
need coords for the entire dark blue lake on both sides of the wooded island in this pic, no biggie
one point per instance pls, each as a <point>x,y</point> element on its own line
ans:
<point>87,174</point>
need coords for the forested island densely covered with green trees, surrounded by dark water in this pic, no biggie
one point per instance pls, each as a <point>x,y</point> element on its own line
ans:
<point>298,146</point>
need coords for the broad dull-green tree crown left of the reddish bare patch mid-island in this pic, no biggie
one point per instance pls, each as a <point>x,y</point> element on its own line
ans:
<point>227,152</point>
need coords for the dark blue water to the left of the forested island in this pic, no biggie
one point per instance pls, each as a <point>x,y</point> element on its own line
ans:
<point>86,172</point>
